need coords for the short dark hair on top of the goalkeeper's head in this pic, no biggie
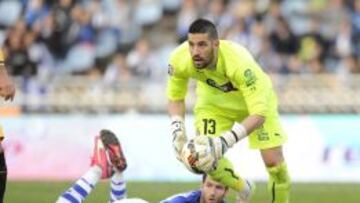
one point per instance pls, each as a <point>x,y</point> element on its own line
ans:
<point>204,26</point>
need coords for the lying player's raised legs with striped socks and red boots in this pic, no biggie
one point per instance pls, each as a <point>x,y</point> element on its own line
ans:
<point>108,161</point>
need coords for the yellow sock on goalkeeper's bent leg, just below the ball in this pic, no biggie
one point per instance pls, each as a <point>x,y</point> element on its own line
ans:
<point>225,174</point>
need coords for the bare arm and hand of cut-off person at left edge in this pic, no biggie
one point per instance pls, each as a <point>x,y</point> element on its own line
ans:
<point>7,88</point>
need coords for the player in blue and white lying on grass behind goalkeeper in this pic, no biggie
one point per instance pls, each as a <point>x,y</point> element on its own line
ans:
<point>108,161</point>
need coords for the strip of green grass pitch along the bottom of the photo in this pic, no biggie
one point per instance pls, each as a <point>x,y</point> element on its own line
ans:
<point>47,192</point>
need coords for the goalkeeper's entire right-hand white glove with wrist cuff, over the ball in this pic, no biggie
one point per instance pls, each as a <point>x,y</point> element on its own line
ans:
<point>218,146</point>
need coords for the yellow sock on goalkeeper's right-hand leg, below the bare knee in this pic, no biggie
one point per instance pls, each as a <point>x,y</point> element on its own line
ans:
<point>279,183</point>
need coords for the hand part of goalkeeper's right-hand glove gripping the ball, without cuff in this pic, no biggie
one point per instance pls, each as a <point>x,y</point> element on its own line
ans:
<point>216,148</point>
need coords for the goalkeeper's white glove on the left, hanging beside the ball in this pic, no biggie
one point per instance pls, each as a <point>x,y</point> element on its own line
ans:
<point>178,134</point>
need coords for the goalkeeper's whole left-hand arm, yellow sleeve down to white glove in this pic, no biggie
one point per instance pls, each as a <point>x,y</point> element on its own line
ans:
<point>176,92</point>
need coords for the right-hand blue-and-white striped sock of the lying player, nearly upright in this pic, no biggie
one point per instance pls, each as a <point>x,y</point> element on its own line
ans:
<point>118,187</point>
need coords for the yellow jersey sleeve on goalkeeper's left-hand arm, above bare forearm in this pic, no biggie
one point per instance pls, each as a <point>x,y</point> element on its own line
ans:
<point>177,81</point>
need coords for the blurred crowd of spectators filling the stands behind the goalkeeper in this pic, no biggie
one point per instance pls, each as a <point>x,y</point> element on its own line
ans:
<point>117,40</point>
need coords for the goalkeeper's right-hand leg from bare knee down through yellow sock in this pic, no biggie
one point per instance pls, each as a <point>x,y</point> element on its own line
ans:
<point>279,179</point>
